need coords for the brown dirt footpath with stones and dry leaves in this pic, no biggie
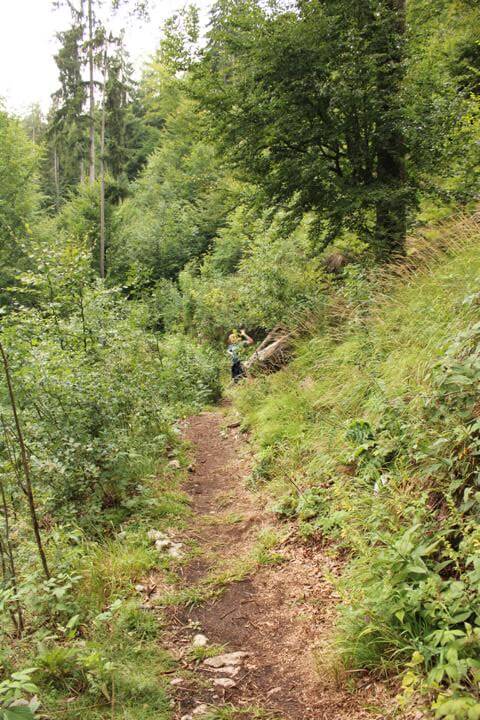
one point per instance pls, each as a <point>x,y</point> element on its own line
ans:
<point>269,597</point>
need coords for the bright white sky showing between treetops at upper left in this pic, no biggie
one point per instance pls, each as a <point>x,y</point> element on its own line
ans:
<point>28,73</point>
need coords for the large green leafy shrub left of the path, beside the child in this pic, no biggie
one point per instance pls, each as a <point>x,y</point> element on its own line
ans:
<point>98,395</point>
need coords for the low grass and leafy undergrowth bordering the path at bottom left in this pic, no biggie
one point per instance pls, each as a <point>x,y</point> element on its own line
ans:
<point>93,650</point>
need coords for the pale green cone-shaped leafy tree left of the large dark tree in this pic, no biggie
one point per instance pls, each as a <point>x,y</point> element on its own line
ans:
<point>181,194</point>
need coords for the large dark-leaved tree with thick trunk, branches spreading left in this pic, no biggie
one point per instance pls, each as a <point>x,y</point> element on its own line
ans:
<point>311,108</point>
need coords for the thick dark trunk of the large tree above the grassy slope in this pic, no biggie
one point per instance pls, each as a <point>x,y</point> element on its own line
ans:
<point>391,208</point>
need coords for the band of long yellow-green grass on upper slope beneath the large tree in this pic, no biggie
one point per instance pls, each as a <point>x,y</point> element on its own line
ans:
<point>305,408</point>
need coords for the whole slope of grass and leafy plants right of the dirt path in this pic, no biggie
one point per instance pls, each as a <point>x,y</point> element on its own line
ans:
<point>371,437</point>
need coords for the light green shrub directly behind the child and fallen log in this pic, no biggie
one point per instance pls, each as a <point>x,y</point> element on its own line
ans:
<point>278,279</point>
